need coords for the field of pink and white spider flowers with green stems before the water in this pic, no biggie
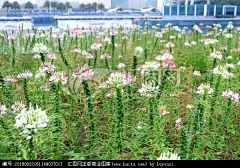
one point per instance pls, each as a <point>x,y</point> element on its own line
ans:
<point>153,93</point>
